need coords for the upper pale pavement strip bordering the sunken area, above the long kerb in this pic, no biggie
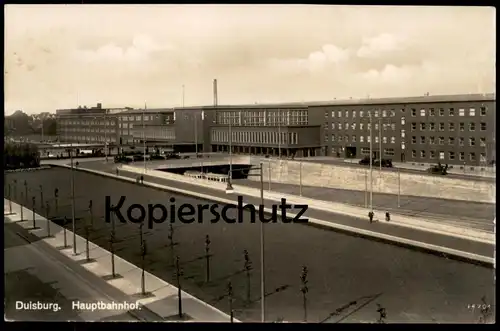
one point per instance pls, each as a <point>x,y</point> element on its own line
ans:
<point>336,208</point>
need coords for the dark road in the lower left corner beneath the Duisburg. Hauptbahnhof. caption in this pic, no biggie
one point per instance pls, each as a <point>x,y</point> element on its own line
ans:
<point>35,272</point>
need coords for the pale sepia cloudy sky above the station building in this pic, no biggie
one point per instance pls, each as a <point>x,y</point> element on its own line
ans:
<point>61,56</point>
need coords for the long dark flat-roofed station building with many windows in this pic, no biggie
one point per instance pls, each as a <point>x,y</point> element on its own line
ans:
<point>455,129</point>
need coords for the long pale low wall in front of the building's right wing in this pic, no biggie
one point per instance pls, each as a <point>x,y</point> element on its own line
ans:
<point>358,179</point>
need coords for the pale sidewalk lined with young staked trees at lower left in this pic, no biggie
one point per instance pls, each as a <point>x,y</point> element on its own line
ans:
<point>161,298</point>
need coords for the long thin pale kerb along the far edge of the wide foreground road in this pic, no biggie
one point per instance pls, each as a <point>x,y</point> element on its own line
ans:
<point>397,241</point>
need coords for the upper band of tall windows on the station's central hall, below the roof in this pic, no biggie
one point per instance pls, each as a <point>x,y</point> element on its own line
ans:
<point>263,118</point>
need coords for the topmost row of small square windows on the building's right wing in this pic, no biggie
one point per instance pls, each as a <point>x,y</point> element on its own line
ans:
<point>391,113</point>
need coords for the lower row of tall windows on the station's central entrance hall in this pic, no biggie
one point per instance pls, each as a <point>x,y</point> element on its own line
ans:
<point>256,137</point>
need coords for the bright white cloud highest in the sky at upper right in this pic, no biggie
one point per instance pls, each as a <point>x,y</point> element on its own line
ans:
<point>381,45</point>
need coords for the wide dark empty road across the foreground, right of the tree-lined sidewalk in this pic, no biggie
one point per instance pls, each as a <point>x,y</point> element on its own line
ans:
<point>412,286</point>
